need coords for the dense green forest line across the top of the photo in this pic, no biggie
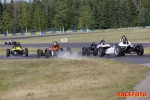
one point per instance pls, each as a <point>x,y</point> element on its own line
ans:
<point>42,15</point>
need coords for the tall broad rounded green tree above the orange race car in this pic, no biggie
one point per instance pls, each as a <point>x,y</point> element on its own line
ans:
<point>62,15</point>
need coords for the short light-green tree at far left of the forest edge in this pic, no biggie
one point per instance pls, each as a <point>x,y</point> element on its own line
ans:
<point>6,21</point>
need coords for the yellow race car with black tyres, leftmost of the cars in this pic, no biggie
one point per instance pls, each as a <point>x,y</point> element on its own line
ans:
<point>17,50</point>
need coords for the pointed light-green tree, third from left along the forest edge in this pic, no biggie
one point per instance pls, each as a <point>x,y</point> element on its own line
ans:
<point>39,20</point>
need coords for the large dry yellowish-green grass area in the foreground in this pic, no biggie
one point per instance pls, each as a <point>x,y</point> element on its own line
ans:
<point>67,79</point>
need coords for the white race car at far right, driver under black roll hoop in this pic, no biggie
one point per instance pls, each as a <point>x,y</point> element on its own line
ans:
<point>121,49</point>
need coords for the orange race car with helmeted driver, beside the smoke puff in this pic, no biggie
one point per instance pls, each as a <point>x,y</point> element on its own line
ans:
<point>54,50</point>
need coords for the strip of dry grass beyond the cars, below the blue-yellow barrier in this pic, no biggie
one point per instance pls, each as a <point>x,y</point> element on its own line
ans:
<point>134,35</point>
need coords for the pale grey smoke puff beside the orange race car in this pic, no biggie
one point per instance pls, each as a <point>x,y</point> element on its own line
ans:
<point>72,55</point>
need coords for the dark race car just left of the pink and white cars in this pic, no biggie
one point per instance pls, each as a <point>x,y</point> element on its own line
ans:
<point>90,50</point>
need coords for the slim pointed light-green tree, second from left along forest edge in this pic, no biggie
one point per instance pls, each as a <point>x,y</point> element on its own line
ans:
<point>25,21</point>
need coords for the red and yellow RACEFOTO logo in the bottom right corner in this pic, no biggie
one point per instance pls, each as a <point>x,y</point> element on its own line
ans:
<point>131,94</point>
